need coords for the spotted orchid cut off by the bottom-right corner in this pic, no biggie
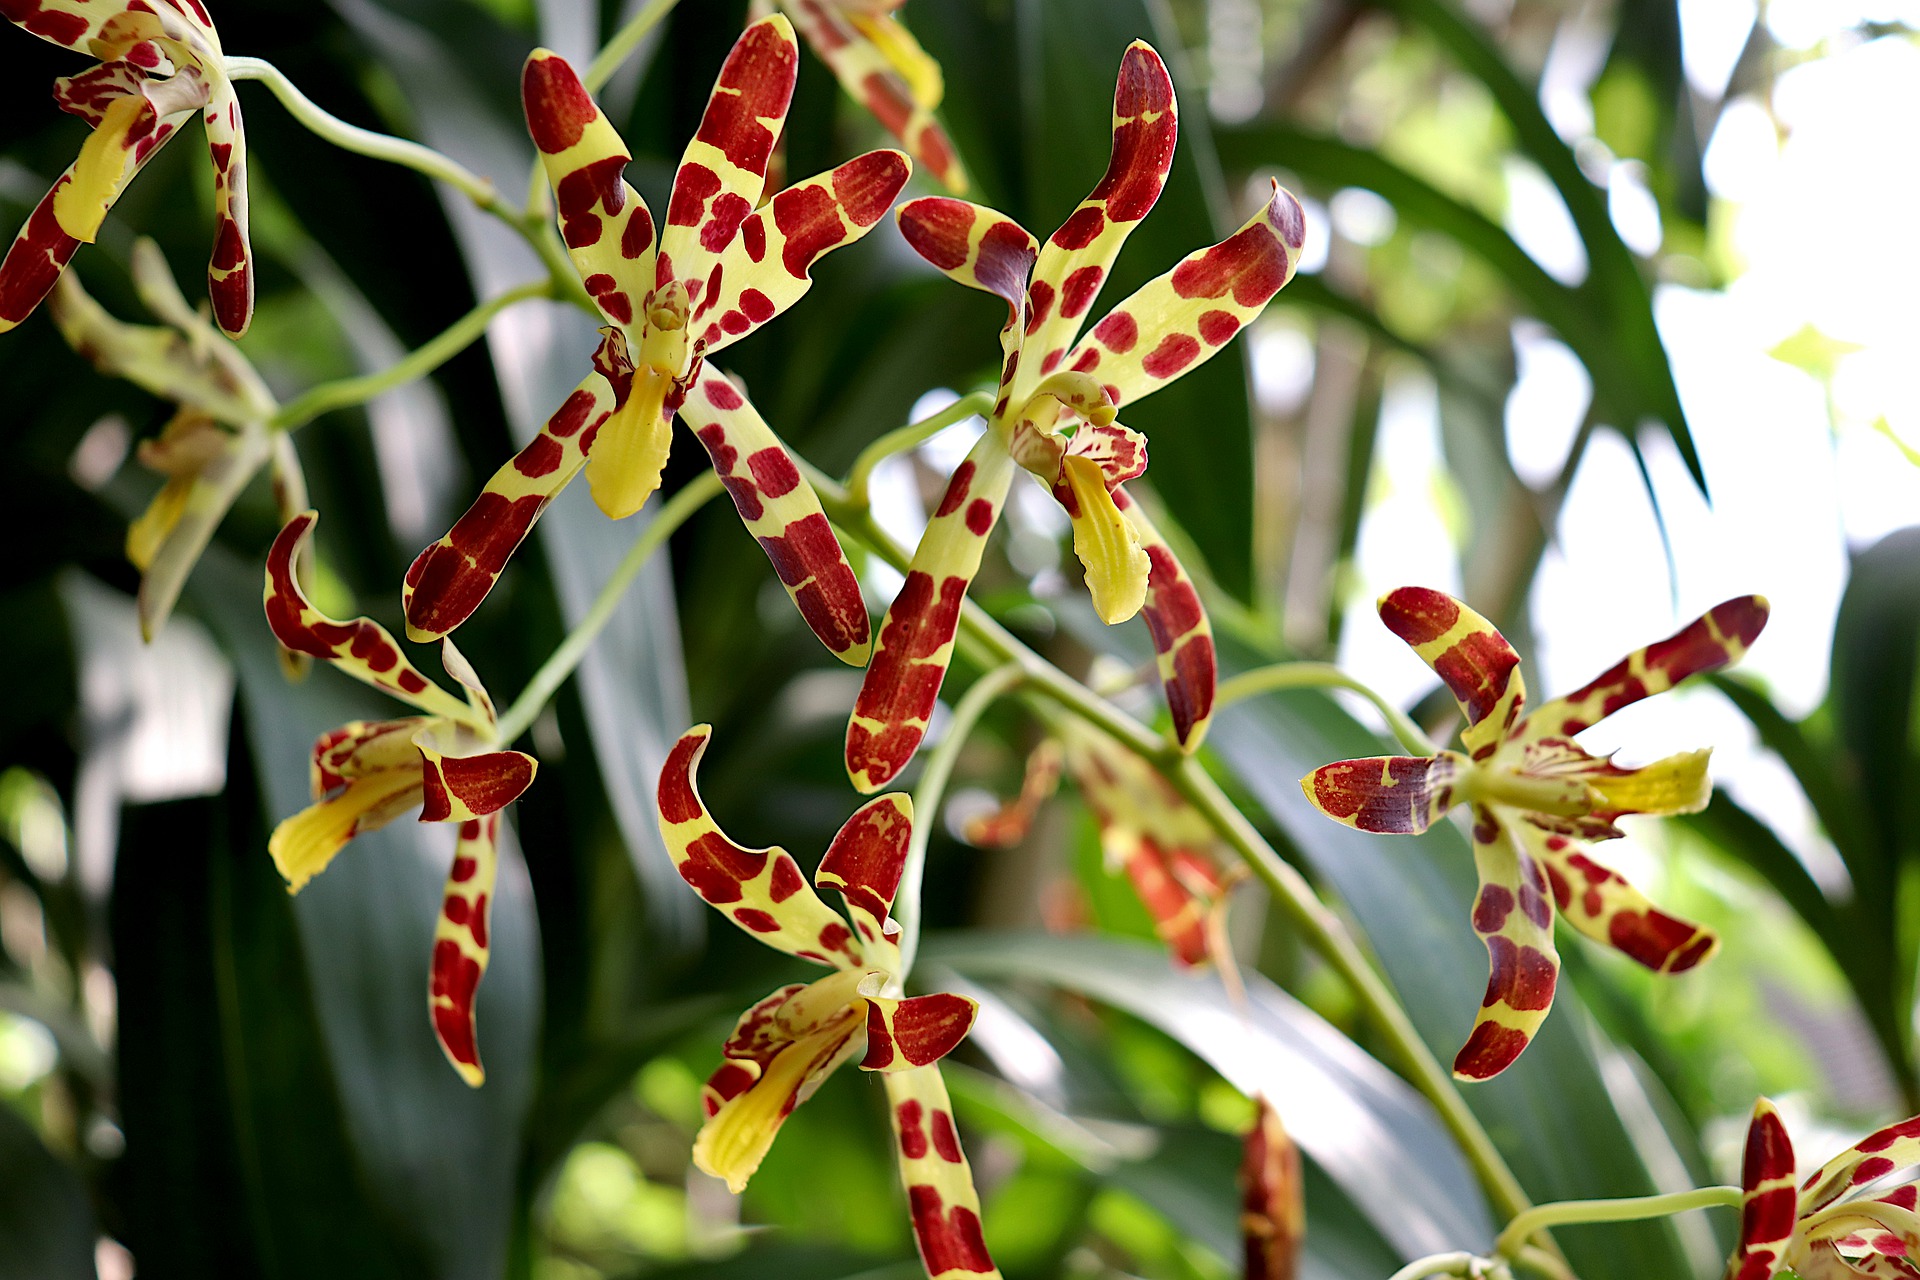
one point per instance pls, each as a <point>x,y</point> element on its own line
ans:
<point>1838,1225</point>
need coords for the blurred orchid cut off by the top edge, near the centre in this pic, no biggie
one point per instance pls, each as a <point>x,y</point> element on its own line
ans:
<point>882,66</point>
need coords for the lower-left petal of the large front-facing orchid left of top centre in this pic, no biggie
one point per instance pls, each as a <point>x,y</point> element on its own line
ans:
<point>448,581</point>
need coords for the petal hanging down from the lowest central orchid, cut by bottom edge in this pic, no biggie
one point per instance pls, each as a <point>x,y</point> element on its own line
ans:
<point>940,1183</point>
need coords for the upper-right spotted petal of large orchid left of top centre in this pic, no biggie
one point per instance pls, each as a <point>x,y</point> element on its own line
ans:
<point>765,268</point>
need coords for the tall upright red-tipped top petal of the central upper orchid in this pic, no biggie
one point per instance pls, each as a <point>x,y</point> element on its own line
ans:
<point>1074,262</point>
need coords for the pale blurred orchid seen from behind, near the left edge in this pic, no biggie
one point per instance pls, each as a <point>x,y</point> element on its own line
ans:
<point>210,450</point>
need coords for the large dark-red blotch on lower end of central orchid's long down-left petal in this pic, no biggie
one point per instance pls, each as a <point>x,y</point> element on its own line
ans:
<point>903,684</point>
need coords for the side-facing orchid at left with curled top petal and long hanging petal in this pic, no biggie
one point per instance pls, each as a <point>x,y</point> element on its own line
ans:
<point>370,772</point>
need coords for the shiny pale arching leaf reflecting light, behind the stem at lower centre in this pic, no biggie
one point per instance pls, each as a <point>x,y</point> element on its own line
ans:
<point>1353,1116</point>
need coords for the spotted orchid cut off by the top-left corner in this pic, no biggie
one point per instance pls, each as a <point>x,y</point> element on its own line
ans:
<point>160,62</point>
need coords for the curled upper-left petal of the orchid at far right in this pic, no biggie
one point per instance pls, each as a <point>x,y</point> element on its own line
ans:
<point>1468,653</point>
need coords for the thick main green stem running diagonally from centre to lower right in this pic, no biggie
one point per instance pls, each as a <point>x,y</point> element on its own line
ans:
<point>1320,928</point>
